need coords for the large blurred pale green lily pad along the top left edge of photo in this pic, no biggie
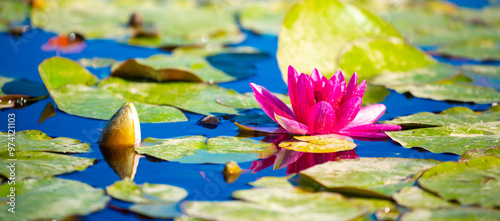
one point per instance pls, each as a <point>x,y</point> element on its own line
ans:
<point>172,23</point>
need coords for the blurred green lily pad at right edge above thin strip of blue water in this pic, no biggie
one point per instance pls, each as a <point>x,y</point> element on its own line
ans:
<point>475,50</point>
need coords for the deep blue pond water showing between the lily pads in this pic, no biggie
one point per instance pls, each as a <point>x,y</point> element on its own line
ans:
<point>20,58</point>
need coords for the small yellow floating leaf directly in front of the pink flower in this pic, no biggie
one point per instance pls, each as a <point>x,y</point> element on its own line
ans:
<point>319,144</point>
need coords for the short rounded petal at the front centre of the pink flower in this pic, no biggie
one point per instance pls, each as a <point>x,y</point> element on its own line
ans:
<point>321,118</point>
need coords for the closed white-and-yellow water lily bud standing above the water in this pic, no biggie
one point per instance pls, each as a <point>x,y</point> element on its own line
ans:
<point>123,129</point>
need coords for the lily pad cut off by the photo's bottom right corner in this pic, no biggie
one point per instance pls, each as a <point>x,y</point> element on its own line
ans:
<point>452,214</point>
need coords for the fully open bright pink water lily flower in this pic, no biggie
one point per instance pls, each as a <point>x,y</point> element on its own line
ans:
<point>322,106</point>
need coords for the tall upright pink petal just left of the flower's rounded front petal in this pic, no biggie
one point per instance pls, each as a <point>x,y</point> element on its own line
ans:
<point>305,98</point>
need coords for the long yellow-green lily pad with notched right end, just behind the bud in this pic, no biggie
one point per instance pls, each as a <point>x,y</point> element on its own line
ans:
<point>193,97</point>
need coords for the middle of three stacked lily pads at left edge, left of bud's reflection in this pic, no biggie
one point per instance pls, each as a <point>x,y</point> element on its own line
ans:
<point>33,164</point>
